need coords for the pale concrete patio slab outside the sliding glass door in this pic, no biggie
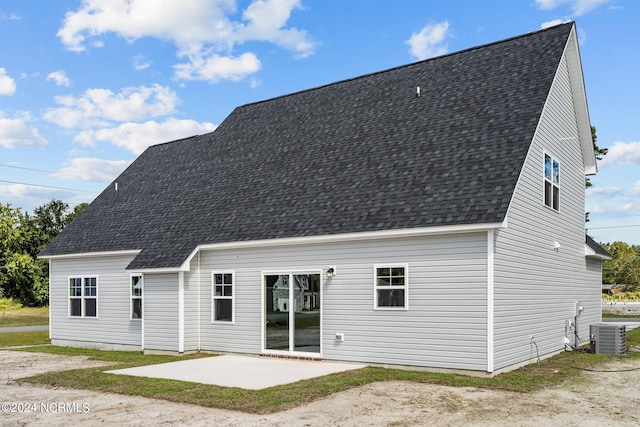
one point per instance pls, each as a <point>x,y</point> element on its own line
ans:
<point>248,372</point>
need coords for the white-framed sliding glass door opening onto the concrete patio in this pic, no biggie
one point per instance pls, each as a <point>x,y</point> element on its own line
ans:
<point>292,312</point>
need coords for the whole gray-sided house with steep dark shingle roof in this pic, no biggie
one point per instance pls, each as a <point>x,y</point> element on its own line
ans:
<point>435,210</point>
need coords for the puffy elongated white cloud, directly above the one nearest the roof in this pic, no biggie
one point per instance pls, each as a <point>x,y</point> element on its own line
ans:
<point>99,107</point>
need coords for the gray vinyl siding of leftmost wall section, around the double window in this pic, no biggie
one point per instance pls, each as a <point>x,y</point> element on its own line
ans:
<point>113,325</point>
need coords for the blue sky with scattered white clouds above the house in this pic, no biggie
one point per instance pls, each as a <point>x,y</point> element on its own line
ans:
<point>86,86</point>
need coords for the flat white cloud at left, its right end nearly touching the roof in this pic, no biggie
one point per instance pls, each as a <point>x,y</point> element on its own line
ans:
<point>136,137</point>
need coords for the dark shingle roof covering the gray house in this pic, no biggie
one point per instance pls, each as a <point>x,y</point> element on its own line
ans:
<point>363,154</point>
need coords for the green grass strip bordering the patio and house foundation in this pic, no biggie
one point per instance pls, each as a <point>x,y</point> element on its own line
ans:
<point>529,378</point>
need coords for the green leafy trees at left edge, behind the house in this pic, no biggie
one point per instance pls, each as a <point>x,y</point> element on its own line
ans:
<point>24,277</point>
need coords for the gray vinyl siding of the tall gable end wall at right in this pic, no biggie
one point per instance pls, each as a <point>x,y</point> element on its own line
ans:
<point>536,286</point>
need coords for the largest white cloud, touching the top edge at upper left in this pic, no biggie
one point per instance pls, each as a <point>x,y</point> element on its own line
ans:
<point>202,30</point>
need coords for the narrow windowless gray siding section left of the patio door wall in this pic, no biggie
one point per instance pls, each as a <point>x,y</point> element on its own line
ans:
<point>161,312</point>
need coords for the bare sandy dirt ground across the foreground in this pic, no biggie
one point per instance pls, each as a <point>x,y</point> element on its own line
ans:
<point>591,399</point>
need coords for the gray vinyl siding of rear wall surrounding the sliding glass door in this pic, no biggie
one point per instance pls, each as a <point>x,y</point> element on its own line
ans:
<point>445,325</point>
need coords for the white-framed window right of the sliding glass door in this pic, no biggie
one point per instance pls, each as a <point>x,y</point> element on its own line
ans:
<point>391,286</point>
